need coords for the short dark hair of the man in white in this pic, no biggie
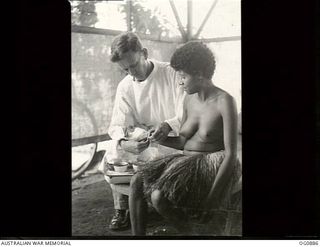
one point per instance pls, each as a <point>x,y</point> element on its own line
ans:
<point>123,43</point>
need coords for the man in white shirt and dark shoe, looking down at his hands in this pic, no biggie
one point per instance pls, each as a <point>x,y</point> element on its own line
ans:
<point>149,97</point>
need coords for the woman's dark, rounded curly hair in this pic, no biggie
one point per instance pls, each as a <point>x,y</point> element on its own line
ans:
<point>194,58</point>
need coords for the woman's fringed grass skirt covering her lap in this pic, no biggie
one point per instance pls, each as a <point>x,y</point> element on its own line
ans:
<point>187,180</point>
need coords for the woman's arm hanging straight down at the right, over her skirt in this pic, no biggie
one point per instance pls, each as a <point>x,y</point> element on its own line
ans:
<point>227,107</point>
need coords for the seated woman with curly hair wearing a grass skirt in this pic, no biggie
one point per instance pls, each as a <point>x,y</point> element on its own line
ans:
<point>202,177</point>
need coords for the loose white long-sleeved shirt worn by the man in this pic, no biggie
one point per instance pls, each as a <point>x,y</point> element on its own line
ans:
<point>148,103</point>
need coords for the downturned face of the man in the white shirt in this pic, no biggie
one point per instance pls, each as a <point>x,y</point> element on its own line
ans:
<point>134,63</point>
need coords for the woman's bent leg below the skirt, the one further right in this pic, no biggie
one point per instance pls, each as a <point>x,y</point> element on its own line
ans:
<point>173,215</point>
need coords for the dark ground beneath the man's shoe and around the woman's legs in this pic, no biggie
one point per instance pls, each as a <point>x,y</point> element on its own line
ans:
<point>92,210</point>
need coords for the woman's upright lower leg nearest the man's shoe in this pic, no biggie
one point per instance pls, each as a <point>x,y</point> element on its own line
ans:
<point>137,206</point>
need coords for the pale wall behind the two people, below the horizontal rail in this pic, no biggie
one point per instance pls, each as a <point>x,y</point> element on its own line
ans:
<point>95,78</point>
